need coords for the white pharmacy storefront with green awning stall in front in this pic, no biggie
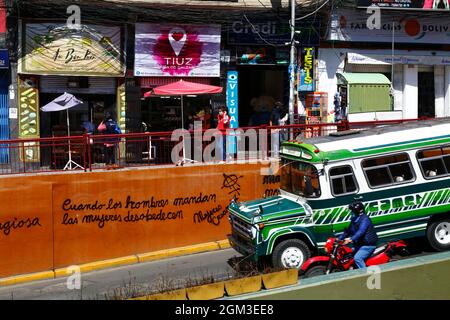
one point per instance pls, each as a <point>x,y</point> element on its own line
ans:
<point>419,75</point>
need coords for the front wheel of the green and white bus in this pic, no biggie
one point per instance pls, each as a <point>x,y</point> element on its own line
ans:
<point>290,254</point>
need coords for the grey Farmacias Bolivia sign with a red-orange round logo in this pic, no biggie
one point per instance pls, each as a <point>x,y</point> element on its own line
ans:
<point>349,25</point>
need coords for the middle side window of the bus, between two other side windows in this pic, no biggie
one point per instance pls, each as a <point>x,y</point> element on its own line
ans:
<point>388,170</point>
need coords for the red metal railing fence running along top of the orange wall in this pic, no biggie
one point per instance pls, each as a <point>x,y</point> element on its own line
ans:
<point>95,152</point>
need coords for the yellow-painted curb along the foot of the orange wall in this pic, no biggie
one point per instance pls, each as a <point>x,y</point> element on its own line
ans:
<point>117,262</point>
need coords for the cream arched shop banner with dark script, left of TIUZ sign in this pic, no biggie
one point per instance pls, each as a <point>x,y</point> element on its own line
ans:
<point>58,50</point>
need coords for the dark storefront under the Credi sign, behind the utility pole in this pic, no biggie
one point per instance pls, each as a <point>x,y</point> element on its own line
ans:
<point>259,51</point>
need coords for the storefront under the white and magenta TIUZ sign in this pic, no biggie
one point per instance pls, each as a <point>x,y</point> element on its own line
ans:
<point>166,53</point>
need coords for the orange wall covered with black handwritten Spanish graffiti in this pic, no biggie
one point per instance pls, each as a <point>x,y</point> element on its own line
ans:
<point>69,208</point>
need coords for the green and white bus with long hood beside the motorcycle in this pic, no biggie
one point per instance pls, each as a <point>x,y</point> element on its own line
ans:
<point>401,173</point>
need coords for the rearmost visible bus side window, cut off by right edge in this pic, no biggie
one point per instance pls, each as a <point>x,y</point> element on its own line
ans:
<point>434,163</point>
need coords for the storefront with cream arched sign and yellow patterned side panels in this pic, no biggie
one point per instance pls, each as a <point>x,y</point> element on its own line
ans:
<point>87,62</point>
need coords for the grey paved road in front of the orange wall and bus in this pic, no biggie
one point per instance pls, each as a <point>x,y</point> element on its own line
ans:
<point>123,282</point>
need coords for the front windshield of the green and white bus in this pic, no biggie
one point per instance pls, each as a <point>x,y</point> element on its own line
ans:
<point>300,178</point>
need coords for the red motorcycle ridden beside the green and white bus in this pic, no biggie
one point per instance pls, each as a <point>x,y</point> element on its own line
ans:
<point>340,257</point>
